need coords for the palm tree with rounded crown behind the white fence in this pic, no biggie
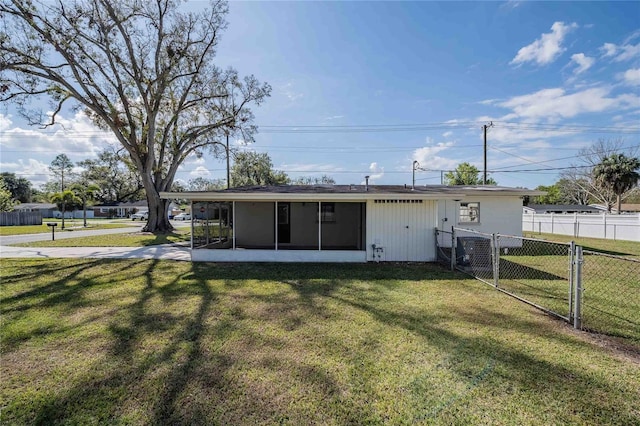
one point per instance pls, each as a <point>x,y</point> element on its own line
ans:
<point>618,174</point>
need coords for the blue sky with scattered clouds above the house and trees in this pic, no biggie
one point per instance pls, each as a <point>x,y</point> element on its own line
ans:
<point>411,81</point>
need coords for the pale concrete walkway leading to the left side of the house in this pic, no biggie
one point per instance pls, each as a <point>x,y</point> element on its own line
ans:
<point>166,251</point>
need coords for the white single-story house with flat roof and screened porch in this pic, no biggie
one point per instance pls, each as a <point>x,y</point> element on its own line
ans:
<point>342,223</point>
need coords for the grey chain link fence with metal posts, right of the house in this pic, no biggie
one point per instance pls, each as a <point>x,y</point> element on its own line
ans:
<point>593,291</point>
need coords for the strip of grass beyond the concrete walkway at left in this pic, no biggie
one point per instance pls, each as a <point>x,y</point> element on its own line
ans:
<point>134,239</point>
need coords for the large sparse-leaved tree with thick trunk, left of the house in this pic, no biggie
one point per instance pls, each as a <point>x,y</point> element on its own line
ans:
<point>143,69</point>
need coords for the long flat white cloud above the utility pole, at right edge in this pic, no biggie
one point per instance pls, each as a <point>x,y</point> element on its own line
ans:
<point>556,103</point>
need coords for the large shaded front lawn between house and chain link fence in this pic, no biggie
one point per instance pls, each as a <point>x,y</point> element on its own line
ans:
<point>158,342</point>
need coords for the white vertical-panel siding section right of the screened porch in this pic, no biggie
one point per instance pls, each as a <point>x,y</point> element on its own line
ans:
<point>404,229</point>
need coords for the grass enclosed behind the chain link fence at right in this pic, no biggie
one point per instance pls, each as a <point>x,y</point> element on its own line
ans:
<point>611,297</point>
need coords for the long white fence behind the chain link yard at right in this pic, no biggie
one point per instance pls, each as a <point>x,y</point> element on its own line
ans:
<point>608,226</point>
